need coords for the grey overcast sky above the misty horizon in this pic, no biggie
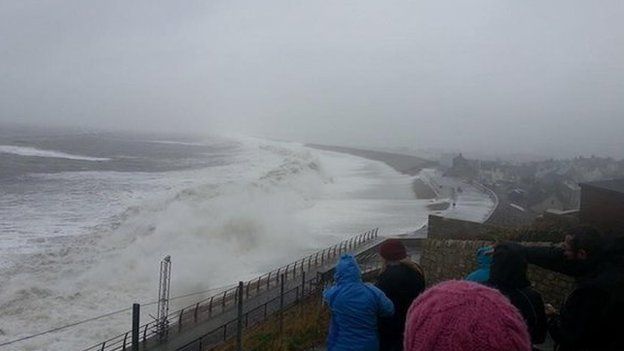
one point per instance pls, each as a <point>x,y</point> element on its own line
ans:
<point>526,76</point>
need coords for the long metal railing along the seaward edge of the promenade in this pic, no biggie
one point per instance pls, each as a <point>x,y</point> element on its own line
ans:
<point>223,301</point>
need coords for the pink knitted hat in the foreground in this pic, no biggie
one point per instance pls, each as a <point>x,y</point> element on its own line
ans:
<point>464,316</point>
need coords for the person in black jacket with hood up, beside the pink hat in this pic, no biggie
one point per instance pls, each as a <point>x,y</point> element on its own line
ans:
<point>508,274</point>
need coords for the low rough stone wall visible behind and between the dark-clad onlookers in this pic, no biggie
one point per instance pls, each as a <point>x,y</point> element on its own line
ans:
<point>444,259</point>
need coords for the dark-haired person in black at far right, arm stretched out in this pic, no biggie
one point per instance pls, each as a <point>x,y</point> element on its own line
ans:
<point>591,316</point>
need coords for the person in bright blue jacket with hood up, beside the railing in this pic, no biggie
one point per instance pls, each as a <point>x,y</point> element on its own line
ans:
<point>354,307</point>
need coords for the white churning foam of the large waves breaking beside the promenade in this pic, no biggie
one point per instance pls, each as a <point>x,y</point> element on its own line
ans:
<point>219,225</point>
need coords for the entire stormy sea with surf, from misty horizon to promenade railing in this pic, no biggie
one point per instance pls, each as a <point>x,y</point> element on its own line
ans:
<point>83,237</point>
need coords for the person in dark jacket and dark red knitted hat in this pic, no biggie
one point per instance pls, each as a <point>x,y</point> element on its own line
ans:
<point>402,280</point>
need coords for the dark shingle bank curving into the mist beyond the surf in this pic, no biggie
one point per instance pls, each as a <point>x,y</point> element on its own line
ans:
<point>406,164</point>
